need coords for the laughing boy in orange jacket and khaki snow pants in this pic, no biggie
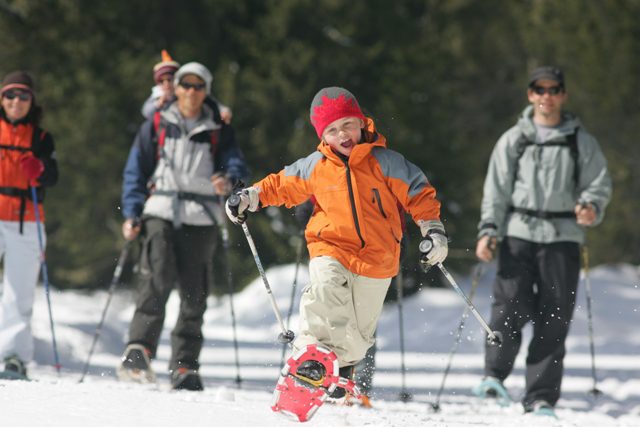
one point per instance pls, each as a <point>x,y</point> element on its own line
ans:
<point>354,232</point>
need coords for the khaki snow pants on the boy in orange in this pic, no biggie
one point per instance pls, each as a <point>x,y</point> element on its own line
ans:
<point>340,310</point>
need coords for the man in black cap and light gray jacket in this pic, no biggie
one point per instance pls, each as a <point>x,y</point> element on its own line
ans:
<point>547,180</point>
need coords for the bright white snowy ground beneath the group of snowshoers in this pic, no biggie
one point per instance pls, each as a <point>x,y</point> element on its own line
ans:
<point>431,318</point>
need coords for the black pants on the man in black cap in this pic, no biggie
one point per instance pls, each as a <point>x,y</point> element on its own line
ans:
<point>535,283</point>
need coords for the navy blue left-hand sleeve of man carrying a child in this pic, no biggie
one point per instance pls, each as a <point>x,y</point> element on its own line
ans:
<point>137,172</point>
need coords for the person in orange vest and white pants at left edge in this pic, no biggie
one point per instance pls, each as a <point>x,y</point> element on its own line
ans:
<point>27,159</point>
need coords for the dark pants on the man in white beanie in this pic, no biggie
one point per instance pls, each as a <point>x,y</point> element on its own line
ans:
<point>181,257</point>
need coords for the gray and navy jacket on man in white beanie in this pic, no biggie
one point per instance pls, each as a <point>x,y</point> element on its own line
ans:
<point>172,180</point>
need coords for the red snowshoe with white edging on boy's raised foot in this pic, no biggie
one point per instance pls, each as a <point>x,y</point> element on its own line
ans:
<point>306,380</point>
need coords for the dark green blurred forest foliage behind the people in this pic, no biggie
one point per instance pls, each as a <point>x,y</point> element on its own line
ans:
<point>443,79</point>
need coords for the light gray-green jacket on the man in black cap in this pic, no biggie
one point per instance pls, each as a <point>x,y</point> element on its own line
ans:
<point>540,177</point>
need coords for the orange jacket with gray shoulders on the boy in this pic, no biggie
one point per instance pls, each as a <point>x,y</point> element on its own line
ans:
<point>355,218</point>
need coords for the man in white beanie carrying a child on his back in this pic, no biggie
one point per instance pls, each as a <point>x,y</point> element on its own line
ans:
<point>181,163</point>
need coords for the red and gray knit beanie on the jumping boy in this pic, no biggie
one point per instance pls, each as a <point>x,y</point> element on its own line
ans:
<point>331,104</point>
